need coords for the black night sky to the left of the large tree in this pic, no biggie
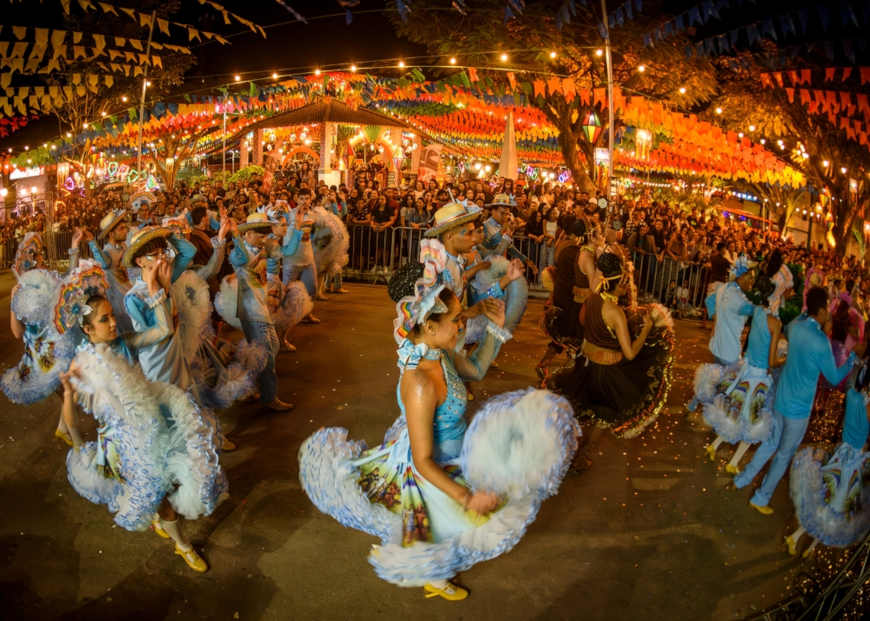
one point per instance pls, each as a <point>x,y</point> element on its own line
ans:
<point>290,45</point>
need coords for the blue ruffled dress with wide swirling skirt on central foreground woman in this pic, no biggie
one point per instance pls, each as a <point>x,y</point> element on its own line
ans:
<point>519,446</point>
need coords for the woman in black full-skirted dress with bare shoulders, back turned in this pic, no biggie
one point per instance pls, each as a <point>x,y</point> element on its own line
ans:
<point>623,378</point>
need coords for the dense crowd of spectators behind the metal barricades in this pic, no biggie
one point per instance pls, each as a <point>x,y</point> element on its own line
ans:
<point>677,251</point>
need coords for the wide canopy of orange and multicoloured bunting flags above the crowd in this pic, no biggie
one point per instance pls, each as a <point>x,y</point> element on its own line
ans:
<point>471,116</point>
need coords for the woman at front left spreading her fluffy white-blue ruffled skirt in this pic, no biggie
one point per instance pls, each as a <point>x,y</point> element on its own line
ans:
<point>156,454</point>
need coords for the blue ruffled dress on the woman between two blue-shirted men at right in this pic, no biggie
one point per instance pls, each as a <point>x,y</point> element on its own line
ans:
<point>741,406</point>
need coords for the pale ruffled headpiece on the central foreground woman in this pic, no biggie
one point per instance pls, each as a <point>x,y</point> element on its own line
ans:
<point>413,310</point>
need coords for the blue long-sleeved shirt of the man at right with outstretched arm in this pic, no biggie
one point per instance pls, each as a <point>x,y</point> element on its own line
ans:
<point>809,353</point>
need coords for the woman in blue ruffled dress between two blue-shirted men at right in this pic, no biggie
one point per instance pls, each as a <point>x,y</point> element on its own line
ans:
<point>742,412</point>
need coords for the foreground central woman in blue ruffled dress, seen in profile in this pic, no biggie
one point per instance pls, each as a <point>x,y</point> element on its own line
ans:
<point>440,495</point>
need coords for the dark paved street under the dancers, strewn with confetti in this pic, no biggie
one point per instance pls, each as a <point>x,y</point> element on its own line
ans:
<point>648,532</point>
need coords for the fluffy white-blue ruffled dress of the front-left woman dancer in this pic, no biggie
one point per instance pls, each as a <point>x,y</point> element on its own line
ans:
<point>153,442</point>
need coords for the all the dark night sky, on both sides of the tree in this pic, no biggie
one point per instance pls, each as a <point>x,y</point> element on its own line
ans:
<point>326,39</point>
